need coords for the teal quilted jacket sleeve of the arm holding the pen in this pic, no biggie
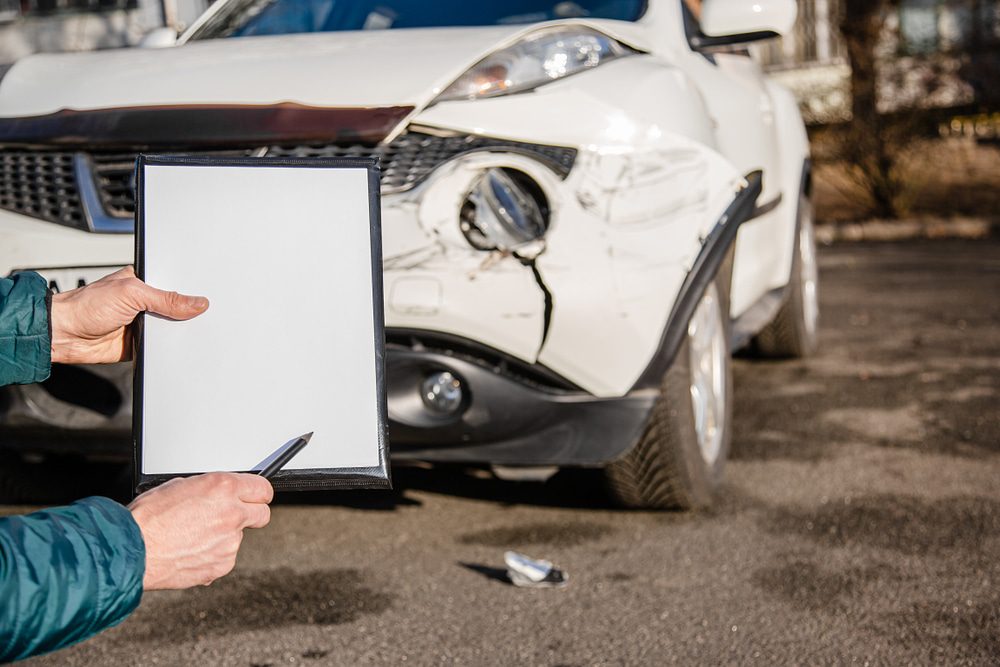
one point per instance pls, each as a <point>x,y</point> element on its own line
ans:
<point>66,574</point>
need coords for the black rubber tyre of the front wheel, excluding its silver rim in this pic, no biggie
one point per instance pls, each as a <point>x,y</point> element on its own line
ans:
<point>666,469</point>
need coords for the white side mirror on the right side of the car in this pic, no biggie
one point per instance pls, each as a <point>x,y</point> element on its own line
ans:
<point>726,22</point>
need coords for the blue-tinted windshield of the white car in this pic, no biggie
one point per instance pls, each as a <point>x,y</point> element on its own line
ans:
<point>244,18</point>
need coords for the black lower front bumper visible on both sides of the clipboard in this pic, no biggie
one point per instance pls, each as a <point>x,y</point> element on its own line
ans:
<point>510,414</point>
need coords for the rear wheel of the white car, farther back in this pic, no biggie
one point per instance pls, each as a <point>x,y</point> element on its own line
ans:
<point>793,331</point>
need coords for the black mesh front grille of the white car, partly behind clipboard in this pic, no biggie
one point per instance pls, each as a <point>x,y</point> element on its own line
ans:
<point>42,184</point>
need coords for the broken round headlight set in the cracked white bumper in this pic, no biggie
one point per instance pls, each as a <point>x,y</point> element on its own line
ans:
<point>504,210</point>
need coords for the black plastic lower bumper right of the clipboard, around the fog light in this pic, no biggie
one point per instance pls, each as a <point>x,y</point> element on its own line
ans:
<point>504,420</point>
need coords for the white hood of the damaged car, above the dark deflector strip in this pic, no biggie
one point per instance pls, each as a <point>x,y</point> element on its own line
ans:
<point>346,69</point>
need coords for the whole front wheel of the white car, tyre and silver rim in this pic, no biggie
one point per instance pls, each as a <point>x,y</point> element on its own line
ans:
<point>678,461</point>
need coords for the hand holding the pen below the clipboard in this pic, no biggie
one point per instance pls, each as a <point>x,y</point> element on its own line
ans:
<point>193,527</point>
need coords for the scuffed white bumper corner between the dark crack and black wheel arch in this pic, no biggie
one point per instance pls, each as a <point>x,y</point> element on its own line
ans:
<point>630,231</point>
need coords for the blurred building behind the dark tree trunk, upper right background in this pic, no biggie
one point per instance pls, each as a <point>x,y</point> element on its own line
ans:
<point>932,54</point>
